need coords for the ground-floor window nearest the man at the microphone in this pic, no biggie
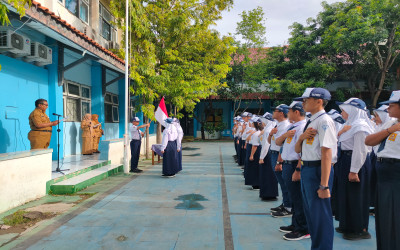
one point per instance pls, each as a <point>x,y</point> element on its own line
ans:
<point>77,101</point>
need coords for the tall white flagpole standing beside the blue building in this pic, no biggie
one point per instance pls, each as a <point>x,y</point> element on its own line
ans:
<point>126,137</point>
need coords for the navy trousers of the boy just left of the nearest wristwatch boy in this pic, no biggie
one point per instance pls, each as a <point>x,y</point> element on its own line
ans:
<point>294,188</point>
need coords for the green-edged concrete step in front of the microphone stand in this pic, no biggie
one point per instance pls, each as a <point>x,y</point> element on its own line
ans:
<point>82,181</point>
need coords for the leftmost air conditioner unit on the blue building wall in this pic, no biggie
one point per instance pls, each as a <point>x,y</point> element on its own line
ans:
<point>14,43</point>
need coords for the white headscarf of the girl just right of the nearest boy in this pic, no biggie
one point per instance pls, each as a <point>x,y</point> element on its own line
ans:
<point>358,120</point>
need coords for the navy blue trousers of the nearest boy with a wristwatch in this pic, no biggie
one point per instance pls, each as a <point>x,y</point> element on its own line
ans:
<point>318,211</point>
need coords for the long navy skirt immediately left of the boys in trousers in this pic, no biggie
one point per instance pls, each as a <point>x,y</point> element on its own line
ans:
<point>268,183</point>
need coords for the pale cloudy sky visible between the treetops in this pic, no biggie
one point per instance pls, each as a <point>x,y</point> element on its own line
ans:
<point>280,15</point>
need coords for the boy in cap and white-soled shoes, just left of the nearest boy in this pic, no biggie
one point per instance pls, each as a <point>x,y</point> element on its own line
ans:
<point>291,168</point>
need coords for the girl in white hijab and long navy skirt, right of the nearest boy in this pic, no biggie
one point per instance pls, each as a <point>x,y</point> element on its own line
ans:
<point>353,171</point>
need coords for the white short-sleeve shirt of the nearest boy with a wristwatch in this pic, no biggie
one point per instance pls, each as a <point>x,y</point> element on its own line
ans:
<point>326,137</point>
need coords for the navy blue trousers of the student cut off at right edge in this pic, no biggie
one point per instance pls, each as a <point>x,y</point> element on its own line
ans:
<point>387,206</point>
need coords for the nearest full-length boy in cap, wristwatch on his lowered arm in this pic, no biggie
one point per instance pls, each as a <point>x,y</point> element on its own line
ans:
<point>318,146</point>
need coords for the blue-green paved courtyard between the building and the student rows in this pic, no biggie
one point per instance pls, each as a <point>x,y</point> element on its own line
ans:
<point>206,206</point>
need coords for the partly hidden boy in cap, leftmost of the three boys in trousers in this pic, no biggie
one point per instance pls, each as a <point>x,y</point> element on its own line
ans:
<point>282,125</point>
